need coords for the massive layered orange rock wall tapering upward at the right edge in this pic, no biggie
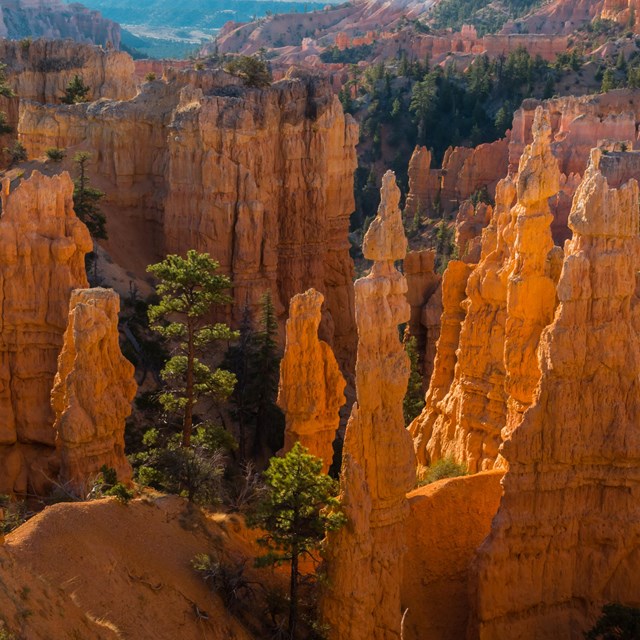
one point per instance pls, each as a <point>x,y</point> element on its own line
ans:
<point>566,538</point>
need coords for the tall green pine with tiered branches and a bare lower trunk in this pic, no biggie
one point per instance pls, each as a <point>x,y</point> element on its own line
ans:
<point>189,288</point>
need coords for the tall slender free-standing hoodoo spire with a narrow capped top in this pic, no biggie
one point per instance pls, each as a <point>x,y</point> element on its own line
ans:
<point>364,558</point>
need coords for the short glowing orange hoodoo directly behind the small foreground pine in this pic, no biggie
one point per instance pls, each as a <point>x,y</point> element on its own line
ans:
<point>311,389</point>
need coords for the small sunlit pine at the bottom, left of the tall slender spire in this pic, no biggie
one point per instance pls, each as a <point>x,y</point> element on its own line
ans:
<point>299,509</point>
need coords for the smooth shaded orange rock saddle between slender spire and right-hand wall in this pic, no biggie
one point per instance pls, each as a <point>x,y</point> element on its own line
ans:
<point>448,520</point>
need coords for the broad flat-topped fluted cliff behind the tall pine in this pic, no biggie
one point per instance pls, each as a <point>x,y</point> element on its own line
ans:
<point>228,170</point>
